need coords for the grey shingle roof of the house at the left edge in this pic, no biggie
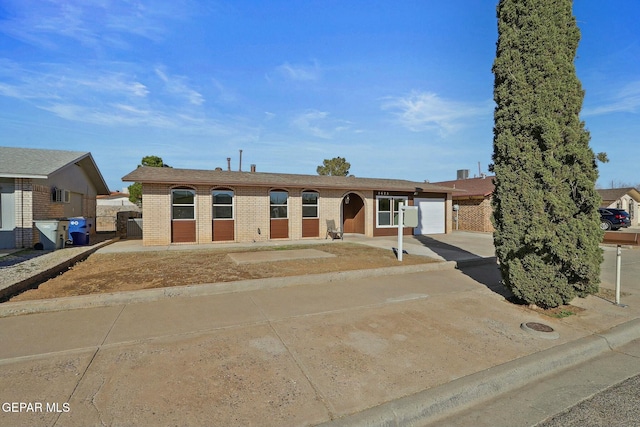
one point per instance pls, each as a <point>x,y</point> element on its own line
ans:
<point>40,164</point>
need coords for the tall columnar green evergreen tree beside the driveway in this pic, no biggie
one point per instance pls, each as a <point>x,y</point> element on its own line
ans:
<point>545,203</point>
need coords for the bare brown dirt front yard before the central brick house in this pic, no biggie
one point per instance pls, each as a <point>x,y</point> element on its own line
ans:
<point>114,272</point>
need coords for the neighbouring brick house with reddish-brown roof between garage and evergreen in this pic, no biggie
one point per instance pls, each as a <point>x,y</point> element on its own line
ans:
<point>474,203</point>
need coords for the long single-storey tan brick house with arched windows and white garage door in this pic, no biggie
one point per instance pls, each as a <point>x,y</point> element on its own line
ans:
<point>204,206</point>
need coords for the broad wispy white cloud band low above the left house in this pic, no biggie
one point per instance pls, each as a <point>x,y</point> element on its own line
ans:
<point>115,98</point>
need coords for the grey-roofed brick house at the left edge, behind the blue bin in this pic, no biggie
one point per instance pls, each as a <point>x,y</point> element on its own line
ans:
<point>44,184</point>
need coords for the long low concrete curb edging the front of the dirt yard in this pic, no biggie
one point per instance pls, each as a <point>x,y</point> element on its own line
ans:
<point>147,295</point>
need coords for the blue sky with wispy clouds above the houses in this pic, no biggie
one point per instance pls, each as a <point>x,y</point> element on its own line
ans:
<point>401,89</point>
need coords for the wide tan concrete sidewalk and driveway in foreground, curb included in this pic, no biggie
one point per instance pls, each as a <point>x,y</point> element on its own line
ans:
<point>409,347</point>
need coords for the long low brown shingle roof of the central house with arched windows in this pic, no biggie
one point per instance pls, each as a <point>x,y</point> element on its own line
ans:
<point>261,179</point>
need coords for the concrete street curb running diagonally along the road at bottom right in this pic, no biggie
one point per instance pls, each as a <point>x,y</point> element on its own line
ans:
<point>434,404</point>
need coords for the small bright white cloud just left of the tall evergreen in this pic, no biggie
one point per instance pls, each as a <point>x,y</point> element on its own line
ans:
<point>422,111</point>
